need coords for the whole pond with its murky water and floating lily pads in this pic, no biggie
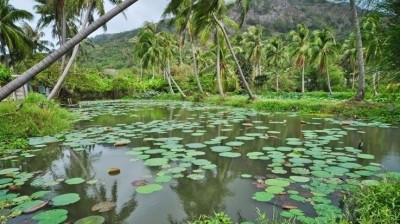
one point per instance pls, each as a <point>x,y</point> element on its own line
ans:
<point>176,161</point>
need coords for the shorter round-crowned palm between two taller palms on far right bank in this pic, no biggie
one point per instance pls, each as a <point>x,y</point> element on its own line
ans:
<point>277,56</point>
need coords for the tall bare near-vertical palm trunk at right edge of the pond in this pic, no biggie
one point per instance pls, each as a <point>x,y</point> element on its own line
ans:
<point>360,57</point>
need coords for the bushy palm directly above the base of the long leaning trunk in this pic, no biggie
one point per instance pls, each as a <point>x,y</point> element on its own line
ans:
<point>254,46</point>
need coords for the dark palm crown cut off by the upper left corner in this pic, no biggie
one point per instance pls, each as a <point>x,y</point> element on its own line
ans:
<point>12,37</point>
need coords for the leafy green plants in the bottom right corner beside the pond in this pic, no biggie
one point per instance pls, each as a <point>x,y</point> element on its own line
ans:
<point>380,203</point>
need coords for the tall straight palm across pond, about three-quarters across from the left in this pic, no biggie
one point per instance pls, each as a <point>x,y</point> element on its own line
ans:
<point>302,50</point>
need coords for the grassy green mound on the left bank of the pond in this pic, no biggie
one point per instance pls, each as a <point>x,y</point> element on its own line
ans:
<point>34,116</point>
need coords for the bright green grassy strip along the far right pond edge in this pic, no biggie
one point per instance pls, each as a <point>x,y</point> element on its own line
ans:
<point>383,112</point>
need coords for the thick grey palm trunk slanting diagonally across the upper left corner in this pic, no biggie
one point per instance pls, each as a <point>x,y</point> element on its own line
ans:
<point>54,56</point>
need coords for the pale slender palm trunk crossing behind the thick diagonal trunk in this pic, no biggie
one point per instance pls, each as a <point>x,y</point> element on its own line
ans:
<point>60,81</point>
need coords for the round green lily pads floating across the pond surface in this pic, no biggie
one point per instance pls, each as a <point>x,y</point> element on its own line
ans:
<point>307,169</point>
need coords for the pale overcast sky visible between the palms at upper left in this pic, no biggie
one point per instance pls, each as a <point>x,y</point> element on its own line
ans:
<point>137,14</point>
